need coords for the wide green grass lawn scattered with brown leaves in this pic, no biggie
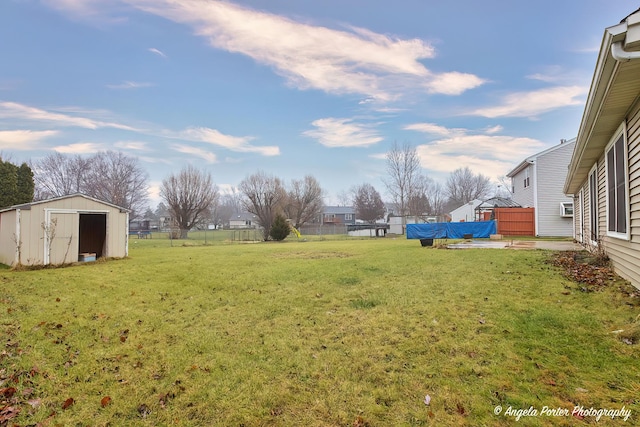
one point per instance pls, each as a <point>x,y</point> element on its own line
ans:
<point>315,333</point>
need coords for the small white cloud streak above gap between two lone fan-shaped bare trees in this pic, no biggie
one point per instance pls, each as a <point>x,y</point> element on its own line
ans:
<point>215,137</point>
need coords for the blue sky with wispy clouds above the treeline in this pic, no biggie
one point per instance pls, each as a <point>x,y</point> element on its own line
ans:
<point>295,88</point>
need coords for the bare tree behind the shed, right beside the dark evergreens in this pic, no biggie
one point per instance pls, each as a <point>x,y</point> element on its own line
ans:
<point>58,175</point>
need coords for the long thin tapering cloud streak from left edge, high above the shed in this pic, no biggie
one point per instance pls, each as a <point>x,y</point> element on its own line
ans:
<point>13,110</point>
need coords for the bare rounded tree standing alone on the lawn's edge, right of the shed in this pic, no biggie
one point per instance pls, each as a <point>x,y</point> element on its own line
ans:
<point>190,197</point>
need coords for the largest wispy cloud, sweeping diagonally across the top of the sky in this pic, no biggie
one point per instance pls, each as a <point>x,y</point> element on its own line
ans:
<point>351,60</point>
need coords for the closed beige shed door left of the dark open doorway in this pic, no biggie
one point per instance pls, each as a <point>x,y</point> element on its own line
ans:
<point>62,233</point>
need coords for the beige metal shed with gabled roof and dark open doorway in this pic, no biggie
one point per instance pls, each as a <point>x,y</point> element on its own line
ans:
<point>63,230</point>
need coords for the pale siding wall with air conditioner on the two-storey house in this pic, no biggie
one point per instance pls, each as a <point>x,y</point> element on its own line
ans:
<point>551,172</point>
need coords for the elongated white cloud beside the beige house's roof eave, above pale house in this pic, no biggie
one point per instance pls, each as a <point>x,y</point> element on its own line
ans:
<point>532,104</point>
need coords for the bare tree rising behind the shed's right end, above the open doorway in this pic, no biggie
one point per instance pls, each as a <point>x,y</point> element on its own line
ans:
<point>119,179</point>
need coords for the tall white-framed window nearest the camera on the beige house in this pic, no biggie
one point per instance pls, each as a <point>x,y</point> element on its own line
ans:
<point>617,188</point>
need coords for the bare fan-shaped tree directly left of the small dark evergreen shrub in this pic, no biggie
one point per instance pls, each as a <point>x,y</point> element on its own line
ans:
<point>264,197</point>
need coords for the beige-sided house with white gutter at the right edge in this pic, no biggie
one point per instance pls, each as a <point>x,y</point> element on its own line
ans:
<point>604,173</point>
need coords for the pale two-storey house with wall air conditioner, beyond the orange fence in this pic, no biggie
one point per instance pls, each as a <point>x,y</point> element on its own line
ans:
<point>538,181</point>
